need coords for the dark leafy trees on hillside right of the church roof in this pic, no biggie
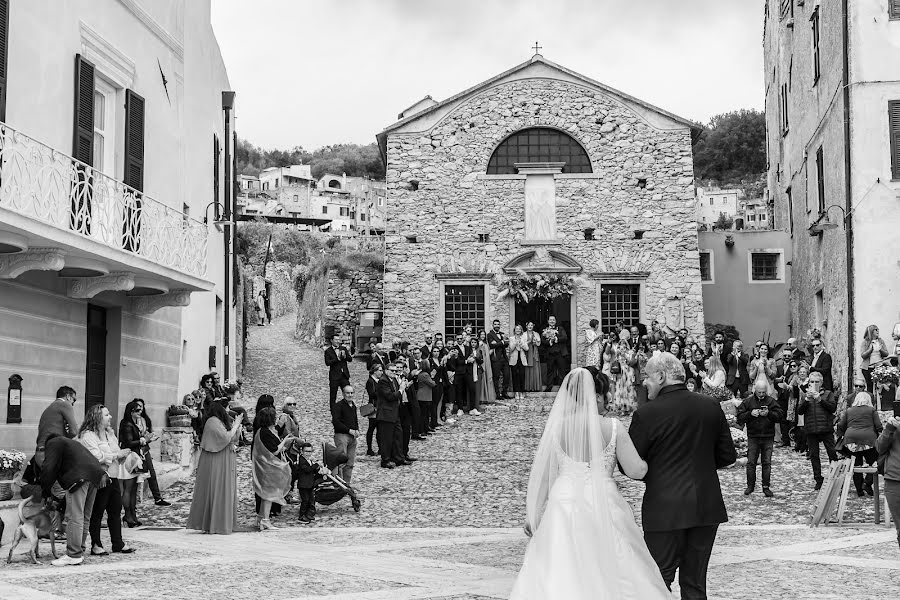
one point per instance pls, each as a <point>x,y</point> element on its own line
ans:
<point>732,148</point>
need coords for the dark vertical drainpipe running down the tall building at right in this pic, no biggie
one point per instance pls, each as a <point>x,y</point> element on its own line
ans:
<point>848,203</point>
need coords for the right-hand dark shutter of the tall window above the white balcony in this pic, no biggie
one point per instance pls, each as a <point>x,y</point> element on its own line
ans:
<point>134,171</point>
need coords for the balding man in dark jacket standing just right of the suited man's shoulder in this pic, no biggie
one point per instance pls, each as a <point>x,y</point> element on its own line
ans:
<point>760,413</point>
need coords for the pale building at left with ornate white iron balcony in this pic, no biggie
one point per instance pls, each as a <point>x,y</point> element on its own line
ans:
<point>110,281</point>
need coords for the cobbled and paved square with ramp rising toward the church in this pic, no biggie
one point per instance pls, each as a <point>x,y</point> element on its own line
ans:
<point>450,525</point>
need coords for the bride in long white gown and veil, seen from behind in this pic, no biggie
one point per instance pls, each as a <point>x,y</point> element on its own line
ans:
<point>585,543</point>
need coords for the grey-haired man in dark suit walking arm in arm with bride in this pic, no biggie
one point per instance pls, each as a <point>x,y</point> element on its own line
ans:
<point>684,438</point>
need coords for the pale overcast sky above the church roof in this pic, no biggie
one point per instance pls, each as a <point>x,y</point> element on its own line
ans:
<point>312,73</point>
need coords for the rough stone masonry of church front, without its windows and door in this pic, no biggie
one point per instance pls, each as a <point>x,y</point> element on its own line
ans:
<point>642,180</point>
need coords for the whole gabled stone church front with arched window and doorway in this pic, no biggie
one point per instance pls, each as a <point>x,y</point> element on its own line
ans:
<point>539,170</point>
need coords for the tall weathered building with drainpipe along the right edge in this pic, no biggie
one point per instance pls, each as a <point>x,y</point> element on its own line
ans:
<point>833,134</point>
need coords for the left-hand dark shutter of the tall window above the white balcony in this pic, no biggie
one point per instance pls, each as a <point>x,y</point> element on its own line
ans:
<point>80,216</point>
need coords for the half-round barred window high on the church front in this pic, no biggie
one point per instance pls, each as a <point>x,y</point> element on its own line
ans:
<point>539,144</point>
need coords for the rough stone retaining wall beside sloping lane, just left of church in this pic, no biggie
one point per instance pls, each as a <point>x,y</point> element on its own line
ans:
<point>335,301</point>
